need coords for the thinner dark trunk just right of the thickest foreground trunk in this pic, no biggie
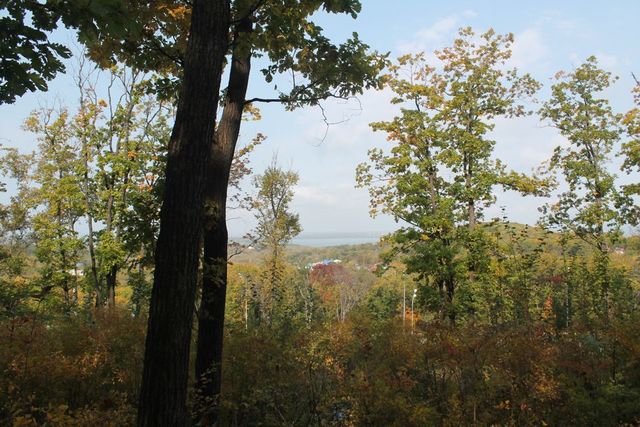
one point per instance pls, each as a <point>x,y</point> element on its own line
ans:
<point>214,278</point>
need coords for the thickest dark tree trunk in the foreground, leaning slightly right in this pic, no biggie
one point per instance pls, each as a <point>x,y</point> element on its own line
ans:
<point>166,361</point>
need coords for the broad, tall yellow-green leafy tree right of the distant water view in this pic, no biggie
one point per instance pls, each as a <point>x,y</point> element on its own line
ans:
<point>440,173</point>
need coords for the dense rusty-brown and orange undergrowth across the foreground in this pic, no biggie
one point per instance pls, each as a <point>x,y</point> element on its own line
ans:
<point>363,371</point>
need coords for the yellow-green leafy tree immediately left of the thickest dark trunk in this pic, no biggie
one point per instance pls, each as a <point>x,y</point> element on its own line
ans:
<point>129,146</point>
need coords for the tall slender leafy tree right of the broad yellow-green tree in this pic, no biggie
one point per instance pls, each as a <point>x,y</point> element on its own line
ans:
<point>591,206</point>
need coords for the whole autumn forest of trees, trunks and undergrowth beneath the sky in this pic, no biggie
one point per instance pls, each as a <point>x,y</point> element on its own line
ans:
<point>119,286</point>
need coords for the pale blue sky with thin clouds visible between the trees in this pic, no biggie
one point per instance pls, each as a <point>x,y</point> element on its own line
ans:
<point>549,36</point>
